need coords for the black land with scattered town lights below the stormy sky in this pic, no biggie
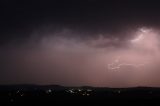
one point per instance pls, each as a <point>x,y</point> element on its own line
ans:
<point>80,95</point>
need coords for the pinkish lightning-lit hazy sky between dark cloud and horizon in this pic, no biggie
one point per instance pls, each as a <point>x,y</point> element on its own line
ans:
<point>105,60</point>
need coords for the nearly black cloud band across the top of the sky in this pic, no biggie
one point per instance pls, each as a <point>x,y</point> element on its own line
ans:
<point>19,19</point>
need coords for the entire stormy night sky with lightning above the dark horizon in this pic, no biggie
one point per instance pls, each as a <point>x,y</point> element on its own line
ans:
<point>80,42</point>
